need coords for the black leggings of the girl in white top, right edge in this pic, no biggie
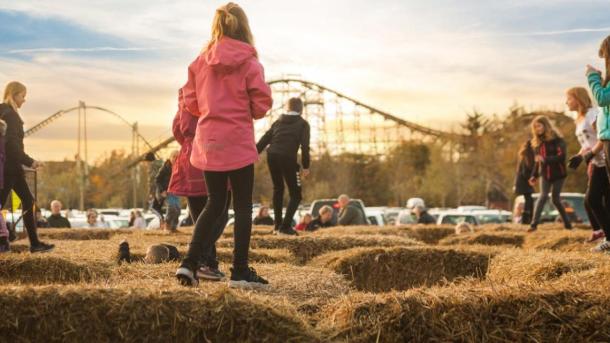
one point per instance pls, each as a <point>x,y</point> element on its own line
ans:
<point>598,198</point>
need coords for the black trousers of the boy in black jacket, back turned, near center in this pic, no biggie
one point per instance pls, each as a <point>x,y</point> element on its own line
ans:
<point>283,168</point>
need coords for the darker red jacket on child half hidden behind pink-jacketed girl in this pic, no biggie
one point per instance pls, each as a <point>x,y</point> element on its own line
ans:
<point>186,180</point>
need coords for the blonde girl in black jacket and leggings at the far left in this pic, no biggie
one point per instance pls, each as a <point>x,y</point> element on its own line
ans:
<point>16,158</point>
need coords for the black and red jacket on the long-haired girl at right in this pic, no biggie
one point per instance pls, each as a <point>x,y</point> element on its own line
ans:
<point>554,166</point>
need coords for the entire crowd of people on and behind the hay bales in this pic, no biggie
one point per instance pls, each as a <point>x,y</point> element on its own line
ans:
<point>224,93</point>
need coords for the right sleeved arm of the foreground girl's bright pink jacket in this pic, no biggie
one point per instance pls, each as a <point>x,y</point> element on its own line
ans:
<point>258,90</point>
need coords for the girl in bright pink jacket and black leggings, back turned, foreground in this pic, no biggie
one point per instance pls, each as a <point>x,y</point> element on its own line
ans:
<point>226,89</point>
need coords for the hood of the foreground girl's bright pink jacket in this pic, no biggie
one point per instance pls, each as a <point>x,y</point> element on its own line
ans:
<point>228,54</point>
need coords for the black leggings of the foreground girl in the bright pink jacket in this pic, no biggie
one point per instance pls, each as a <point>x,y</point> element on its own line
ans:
<point>242,182</point>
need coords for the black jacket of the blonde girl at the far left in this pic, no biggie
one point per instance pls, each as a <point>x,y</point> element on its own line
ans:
<point>14,149</point>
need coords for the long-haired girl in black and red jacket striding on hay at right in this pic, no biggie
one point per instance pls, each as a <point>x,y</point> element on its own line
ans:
<point>550,158</point>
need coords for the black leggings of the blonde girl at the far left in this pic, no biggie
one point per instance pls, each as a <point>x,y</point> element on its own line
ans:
<point>17,183</point>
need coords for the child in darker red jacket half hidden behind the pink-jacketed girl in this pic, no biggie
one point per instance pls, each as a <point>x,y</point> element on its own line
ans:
<point>188,181</point>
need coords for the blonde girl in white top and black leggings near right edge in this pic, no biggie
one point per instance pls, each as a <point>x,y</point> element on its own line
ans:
<point>597,197</point>
